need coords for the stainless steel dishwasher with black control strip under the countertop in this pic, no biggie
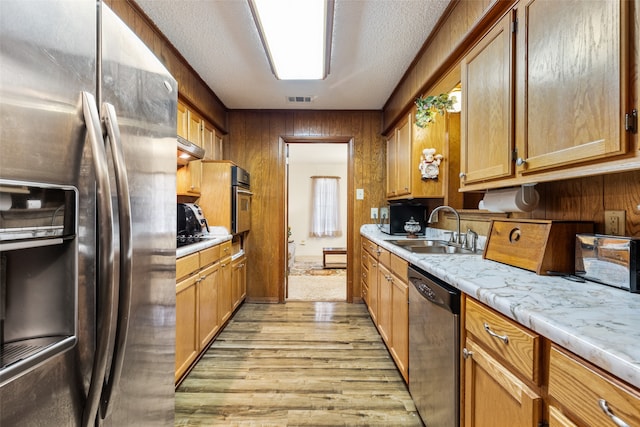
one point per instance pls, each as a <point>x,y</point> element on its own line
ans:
<point>434,345</point>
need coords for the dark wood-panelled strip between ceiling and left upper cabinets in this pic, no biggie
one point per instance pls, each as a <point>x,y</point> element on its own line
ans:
<point>192,88</point>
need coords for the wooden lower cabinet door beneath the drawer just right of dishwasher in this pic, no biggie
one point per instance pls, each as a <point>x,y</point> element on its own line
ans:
<point>493,396</point>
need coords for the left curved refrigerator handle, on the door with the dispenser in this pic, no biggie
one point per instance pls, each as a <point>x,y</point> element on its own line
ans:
<point>105,256</point>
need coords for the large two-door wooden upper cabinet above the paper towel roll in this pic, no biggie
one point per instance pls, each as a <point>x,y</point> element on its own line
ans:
<point>544,93</point>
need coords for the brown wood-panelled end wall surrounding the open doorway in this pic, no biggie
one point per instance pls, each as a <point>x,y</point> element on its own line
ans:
<point>256,142</point>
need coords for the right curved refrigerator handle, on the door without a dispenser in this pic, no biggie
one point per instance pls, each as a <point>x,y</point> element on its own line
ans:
<point>110,119</point>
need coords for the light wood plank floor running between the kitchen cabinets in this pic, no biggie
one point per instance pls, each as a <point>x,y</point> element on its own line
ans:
<point>299,363</point>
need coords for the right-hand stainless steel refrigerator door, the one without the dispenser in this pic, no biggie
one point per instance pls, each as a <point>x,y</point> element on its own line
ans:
<point>143,96</point>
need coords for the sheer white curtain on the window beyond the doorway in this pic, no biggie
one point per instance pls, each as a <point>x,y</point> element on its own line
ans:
<point>325,210</point>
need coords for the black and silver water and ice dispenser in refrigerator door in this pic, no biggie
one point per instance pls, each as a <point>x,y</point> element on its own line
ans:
<point>38,274</point>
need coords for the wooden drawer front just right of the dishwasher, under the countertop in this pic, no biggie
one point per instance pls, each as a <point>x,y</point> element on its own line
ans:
<point>518,346</point>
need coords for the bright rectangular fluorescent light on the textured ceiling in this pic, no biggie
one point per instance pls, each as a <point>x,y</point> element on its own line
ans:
<point>296,35</point>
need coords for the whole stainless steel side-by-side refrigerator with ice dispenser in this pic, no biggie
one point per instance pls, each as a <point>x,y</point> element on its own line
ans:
<point>87,220</point>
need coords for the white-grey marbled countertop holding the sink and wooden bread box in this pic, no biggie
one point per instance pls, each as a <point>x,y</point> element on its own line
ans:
<point>598,323</point>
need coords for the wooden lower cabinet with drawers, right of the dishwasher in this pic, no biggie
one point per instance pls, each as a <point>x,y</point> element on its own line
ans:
<point>503,383</point>
